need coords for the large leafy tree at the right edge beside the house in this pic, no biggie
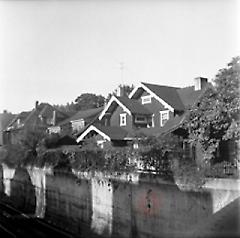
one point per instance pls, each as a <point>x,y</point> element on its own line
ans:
<point>216,117</point>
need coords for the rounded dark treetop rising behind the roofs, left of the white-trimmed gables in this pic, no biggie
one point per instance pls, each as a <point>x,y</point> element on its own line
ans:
<point>89,100</point>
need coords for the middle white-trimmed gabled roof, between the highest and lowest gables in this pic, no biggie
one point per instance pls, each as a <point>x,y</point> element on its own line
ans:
<point>131,106</point>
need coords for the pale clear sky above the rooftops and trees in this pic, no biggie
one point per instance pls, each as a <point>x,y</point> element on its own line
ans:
<point>55,50</point>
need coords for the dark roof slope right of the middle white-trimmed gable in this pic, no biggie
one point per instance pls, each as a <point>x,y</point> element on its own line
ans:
<point>133,105</point>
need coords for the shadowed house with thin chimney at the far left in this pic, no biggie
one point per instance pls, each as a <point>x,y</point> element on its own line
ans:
<point>41,117</point>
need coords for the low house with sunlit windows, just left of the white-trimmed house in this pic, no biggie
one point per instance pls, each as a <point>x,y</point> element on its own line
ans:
<point>76,123</point>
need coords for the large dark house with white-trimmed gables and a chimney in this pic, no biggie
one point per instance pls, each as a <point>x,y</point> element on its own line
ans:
<point>150,109</point>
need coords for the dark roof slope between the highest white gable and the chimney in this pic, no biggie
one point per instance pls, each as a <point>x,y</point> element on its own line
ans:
<point>168,94</point>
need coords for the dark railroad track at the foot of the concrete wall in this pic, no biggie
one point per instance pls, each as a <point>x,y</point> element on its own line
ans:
<point>14,223</point>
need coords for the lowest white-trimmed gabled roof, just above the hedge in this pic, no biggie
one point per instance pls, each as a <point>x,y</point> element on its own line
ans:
<point>107,132</point>
